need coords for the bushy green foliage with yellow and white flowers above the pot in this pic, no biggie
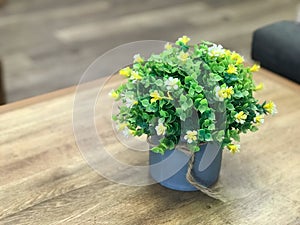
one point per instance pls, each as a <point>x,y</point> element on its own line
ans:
<point>182,89</point>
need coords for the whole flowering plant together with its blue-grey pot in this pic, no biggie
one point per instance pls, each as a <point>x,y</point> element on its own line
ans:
<point>183,99</point>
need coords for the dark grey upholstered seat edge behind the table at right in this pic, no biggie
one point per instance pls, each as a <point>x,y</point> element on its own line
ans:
<point>277,48</point>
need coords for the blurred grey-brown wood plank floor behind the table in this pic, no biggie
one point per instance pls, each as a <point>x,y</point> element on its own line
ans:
<point>46,45</point>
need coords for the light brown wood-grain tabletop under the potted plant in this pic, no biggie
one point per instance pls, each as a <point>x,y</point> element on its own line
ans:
<point>44,178</point>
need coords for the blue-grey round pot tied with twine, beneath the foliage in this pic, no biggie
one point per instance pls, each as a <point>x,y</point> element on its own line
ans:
<point>170,169</point>
